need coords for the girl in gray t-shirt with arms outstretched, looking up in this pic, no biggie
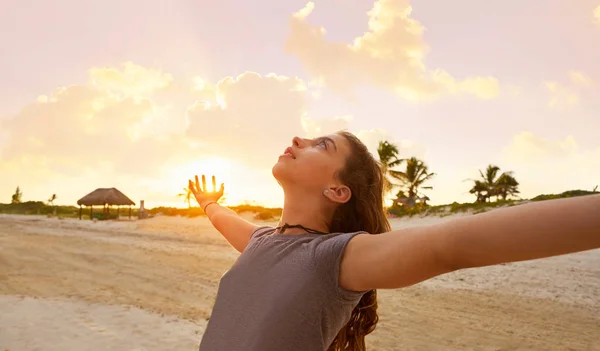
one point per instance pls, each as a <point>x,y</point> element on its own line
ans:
<point>310,283</point>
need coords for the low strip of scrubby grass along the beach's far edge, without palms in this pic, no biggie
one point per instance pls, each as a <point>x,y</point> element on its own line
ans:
<point>265,213</point>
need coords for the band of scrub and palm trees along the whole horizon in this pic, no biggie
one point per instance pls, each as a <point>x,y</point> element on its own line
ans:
<point>492,185</point>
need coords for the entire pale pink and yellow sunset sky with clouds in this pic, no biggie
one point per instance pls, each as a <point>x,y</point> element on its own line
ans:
<point>142,95</point>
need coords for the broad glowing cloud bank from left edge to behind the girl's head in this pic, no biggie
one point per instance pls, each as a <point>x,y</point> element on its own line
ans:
<point>139,127</point>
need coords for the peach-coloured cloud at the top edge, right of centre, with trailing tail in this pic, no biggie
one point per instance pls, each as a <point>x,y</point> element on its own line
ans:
<point>389,55</point>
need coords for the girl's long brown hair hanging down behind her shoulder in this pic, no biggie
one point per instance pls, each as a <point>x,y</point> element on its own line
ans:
<point>363,212</point>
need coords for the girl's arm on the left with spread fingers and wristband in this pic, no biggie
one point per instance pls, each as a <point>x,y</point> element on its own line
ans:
<point>235,229</point>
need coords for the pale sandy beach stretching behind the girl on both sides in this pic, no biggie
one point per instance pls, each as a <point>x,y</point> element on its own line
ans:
<point>67,284</point>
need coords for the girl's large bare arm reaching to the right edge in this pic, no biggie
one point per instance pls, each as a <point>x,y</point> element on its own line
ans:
<point>408,256</point>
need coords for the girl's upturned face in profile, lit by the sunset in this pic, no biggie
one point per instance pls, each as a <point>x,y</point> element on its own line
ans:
<point>312,164</point>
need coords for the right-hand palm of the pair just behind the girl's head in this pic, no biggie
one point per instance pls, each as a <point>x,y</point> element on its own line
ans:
<point>412,180</point>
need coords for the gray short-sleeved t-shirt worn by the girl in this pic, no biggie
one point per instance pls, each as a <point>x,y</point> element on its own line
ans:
<point>282,293</point>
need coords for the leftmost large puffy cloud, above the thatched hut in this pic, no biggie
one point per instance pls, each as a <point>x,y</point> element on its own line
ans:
<point>110,126</point>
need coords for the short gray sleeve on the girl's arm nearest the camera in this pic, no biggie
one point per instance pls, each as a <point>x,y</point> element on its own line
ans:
<point>328,257</point>
